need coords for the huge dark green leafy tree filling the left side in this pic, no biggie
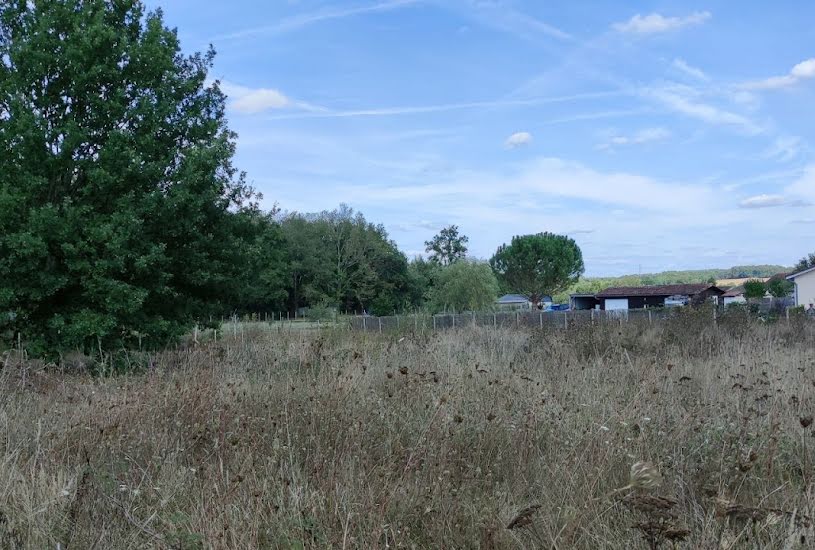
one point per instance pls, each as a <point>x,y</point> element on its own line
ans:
<point>120,210</point>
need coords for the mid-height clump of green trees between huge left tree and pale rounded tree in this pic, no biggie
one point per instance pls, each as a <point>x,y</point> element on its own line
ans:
<point>338,259</point>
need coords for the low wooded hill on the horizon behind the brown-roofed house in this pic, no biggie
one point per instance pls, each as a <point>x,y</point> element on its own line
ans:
<point>591,285</point>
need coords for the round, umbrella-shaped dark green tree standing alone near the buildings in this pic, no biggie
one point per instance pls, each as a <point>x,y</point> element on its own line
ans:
<point>534,265</point>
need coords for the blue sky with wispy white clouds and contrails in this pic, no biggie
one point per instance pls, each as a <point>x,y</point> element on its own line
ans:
<point>659,135</point>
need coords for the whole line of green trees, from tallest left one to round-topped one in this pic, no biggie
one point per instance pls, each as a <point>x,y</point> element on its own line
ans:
<point>124,222</point>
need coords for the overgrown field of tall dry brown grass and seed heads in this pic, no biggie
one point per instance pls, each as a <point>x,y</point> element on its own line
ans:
<point>349,440</point>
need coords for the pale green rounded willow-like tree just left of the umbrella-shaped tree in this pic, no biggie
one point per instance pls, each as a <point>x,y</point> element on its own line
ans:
<point>464,286</point>
